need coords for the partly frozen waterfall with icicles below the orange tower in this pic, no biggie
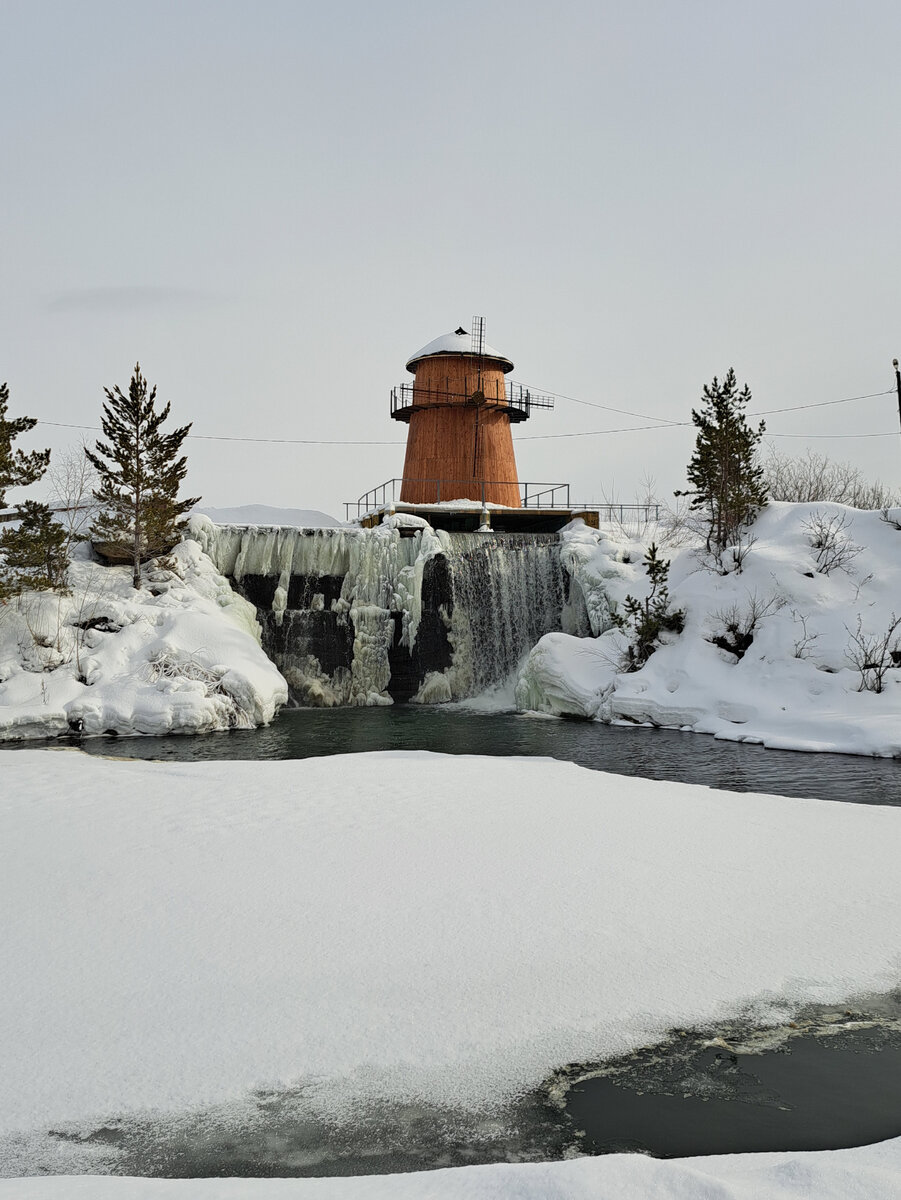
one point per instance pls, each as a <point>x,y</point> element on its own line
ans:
<point>398,613</point>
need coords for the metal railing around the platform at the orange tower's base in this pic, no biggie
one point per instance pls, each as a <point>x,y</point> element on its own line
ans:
<point>532,496</point>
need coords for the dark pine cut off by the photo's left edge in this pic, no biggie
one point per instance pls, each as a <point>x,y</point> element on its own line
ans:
<point>32,553</point>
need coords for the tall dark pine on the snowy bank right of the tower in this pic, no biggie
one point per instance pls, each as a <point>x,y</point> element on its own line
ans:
<point>728,483</point>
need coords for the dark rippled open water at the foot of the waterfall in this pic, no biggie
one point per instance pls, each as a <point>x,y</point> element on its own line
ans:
<point>653,754</point>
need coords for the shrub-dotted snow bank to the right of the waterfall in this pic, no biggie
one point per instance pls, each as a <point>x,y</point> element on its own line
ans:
<point>795,688</point>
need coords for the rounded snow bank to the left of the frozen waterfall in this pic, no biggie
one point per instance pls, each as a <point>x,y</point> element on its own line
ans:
<point>181,656</point>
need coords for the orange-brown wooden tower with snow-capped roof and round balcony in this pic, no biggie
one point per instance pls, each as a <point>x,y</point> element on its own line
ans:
<point>460,409</point>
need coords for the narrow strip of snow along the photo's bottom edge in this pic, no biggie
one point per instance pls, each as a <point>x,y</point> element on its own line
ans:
<point>869,1173</point>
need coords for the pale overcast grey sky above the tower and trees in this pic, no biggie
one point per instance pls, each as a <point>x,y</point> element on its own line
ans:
<point>274,205</point>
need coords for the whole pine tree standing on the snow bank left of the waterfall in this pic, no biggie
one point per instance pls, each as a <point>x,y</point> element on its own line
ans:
<point>140,475</point>
